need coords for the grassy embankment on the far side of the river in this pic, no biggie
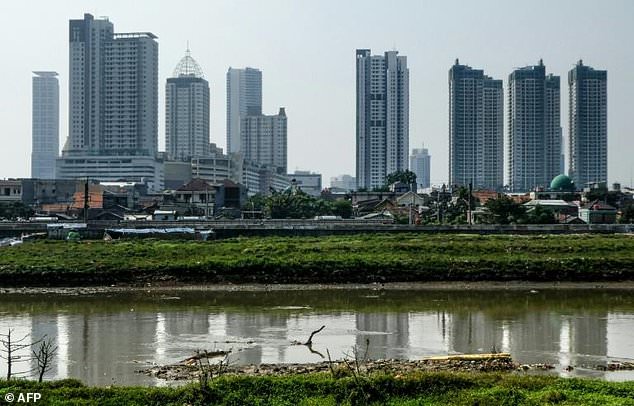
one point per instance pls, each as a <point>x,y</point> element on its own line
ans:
<point>333,259</point>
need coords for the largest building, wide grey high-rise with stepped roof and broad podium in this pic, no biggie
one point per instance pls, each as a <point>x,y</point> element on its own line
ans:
<point>113,105</point>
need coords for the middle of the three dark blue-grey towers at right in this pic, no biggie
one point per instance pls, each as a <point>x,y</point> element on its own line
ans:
<point>534,145</point>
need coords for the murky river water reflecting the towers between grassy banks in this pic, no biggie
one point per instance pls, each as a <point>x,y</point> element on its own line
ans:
<point>104,338</point>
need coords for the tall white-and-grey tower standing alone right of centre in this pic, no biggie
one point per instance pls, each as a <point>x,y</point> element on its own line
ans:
<point>382,116</point>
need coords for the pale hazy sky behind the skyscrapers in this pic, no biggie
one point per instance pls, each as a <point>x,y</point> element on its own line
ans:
<point>306,51</point>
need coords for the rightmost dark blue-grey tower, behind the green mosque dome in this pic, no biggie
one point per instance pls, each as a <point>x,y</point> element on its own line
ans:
<point>588,124</point>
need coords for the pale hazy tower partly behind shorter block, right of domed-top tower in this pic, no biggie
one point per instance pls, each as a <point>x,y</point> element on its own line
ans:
<point>244,98</point>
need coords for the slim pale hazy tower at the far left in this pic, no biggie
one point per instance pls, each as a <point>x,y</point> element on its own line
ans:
<point>45,125</point>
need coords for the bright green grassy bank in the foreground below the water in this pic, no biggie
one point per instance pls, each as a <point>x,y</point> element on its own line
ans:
<point>322,389</point>
